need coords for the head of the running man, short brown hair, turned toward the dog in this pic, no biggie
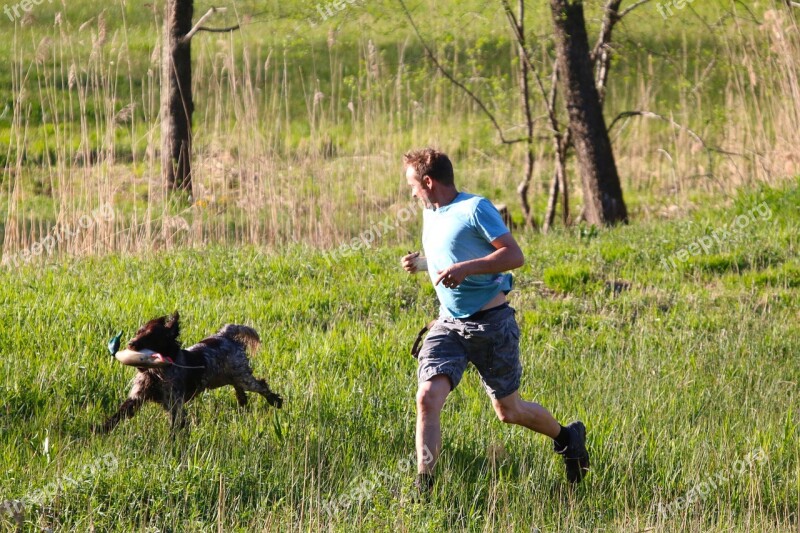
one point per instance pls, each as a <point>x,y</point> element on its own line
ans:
<point>429,173</point>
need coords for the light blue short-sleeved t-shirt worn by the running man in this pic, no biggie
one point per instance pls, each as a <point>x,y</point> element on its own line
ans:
<point>459,231</point>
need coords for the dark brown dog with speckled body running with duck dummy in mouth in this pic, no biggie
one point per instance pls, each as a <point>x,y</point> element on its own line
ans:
<point>214,362</point>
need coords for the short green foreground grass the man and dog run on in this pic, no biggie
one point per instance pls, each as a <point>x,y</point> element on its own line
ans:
<point>678,375</point>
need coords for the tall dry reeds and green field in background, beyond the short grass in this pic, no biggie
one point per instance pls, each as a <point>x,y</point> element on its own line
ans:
<point>300,139</point>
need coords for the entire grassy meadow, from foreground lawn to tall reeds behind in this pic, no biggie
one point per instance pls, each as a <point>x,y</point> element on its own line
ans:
<point>675,338</point>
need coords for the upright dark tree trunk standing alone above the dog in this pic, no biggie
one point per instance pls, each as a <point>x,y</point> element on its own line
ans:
<point>176,96</point>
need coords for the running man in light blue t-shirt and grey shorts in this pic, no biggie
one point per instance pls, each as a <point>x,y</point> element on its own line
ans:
<point>467,250</point>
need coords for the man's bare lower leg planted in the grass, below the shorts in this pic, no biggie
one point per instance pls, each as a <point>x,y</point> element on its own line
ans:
<point>430,400</point>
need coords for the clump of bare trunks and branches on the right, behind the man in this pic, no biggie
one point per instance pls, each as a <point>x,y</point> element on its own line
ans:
<point>601,182</point>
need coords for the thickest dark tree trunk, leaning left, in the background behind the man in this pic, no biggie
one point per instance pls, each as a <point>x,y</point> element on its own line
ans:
<point>602,193</point>
